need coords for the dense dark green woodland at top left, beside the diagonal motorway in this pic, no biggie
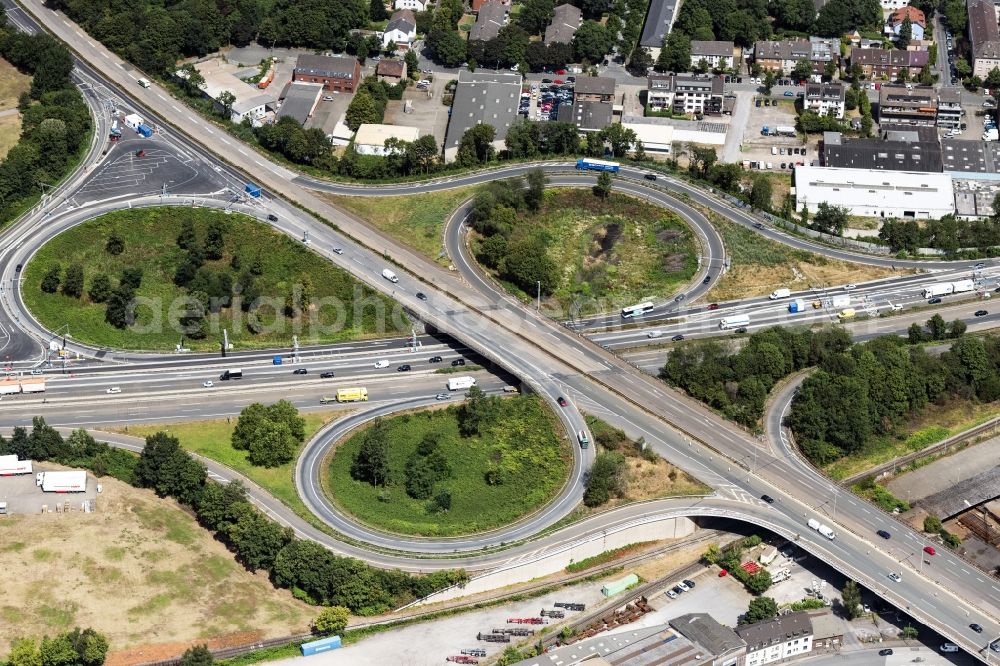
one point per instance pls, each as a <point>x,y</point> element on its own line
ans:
<point>155,35</point>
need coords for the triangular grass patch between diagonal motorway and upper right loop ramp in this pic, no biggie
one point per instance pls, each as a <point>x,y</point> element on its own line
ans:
<point>415,220</point>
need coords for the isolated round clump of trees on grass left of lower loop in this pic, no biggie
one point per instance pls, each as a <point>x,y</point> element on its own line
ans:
<point>269,434</point>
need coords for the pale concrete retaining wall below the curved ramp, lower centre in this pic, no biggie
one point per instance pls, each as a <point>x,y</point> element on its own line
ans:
<point>536,565</point>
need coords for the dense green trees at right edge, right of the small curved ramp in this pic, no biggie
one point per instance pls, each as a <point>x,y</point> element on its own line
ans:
<point>874,388</point>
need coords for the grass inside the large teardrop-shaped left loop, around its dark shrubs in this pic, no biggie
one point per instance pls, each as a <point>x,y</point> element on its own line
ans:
<point>342,309</point>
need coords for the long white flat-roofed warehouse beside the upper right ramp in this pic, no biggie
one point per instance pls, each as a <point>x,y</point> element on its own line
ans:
<point>874,192</point>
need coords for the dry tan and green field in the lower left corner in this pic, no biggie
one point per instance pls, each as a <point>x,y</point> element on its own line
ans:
<point>142,572</point>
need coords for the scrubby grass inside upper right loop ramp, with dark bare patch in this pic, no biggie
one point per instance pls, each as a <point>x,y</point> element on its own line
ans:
<point>613,252</point>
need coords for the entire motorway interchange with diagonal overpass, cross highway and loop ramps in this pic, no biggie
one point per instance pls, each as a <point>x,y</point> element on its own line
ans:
<point>550,359</point>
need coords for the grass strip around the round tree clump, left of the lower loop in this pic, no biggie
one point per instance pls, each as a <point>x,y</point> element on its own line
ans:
<point>212,439</point>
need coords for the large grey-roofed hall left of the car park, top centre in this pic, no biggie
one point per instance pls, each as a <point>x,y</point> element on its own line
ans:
<point>482,97</point>
